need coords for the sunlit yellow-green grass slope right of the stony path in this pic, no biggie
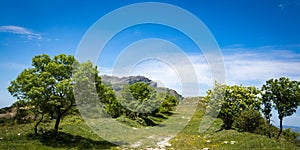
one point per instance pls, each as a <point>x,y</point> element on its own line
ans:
<point>215,138</point>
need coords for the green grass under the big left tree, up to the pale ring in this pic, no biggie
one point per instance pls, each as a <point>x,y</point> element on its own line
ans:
<point>72,135</point>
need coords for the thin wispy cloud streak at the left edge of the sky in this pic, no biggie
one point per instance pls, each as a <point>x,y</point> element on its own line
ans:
<point>30,35</point>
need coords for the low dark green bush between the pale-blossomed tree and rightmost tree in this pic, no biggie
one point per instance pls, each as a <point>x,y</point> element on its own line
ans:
<point>249,121</point>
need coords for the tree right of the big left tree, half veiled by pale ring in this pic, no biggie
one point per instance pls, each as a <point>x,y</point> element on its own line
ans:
<point>92,96</point>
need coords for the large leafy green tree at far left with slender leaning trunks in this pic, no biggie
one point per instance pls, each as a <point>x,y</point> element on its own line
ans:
<point>47,86</point>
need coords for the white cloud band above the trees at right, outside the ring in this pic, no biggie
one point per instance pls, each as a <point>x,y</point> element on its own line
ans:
<point>247,66</point>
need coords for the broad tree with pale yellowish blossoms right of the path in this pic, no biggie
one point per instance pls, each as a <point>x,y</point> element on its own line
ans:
<point>230,101</point>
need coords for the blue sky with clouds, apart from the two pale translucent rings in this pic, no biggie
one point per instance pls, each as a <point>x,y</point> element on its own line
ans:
<point>259,40</point>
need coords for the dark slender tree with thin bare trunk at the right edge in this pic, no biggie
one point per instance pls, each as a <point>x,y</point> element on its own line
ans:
<point>284,94</point>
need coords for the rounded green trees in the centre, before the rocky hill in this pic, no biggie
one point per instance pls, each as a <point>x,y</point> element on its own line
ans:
<point>142,103</point>
